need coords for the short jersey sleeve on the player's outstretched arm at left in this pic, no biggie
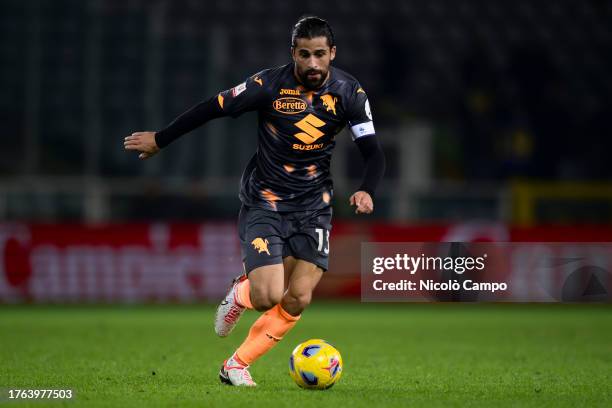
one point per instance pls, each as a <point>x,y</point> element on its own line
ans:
<point>248,96</point>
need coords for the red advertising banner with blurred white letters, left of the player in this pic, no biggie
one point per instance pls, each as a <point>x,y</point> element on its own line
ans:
<point>118,263</point>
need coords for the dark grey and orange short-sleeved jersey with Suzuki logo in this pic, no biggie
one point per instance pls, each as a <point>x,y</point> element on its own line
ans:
<point>291,169</point>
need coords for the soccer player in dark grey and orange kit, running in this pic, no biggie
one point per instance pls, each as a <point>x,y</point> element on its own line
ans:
<point>286,188</point>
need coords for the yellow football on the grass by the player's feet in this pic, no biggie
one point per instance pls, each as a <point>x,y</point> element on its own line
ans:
<point>315,364</point>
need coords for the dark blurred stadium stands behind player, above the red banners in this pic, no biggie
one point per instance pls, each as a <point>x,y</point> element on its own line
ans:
<point>474,101</point>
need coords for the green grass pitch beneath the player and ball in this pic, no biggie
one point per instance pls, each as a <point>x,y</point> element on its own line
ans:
<point>394,355</point>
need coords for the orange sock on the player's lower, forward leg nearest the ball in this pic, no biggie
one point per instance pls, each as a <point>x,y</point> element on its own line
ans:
<point>268,330</point>
